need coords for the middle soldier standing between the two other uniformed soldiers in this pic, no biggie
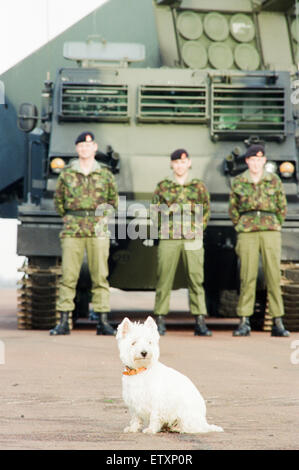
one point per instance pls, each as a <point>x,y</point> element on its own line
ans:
<point>181,192</point>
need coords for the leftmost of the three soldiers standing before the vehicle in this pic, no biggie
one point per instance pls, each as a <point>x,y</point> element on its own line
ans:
<point>82,187</point>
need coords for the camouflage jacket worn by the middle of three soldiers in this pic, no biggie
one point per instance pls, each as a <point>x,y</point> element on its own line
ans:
<point>180,211</point>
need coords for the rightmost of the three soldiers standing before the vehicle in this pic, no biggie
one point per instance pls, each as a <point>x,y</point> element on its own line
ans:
<point>258,208</point>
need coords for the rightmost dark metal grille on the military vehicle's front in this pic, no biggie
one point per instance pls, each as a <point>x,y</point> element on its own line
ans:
<point>243,111</point>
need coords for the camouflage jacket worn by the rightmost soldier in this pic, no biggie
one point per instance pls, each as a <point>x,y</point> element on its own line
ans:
<point>266,199</point>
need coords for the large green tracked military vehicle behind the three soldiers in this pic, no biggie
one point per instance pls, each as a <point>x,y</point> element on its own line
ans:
<point>225,82</point>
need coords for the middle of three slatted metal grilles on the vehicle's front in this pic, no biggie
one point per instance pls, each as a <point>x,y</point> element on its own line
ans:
<point>176,104</point>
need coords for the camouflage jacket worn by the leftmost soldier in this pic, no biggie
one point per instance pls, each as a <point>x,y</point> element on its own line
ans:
<point>77,191</point>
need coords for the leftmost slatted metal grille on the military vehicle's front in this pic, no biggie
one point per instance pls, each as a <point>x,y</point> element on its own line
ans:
<point>94,102</point>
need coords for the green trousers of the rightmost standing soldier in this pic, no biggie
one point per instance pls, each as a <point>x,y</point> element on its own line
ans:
<point>249,247</point>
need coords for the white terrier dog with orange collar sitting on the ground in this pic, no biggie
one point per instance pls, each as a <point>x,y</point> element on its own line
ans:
<point>158,396</point>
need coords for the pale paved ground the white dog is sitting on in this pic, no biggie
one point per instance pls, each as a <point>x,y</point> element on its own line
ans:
<point>65,392</point>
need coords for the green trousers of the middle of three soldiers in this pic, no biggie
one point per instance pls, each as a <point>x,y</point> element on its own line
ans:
<point>169,252</point>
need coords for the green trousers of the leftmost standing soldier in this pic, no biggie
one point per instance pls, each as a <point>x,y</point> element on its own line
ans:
<point>97,251</point>
